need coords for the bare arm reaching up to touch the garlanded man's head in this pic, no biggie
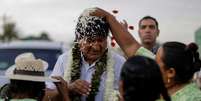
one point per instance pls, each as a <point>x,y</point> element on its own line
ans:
<point>125,40</point>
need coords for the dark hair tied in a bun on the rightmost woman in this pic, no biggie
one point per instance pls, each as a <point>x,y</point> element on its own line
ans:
<point>184,59</point>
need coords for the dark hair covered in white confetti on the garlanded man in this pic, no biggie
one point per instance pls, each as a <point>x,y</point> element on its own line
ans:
<point>91,26</point>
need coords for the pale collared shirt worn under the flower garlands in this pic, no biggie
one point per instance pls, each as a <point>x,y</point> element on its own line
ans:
<point>87,71</point>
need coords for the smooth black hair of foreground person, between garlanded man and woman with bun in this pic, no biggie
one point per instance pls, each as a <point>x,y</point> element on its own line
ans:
<point>142,80</point>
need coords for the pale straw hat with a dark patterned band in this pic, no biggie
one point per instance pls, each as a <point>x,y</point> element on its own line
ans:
<point>28,68</point>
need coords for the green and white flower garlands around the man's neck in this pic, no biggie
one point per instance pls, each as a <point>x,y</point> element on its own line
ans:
<point>104,64</point>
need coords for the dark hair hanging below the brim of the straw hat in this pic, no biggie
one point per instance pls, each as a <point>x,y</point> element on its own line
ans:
<point>35,90</point>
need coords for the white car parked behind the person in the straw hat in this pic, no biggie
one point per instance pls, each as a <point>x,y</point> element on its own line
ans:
<point>46,50</point>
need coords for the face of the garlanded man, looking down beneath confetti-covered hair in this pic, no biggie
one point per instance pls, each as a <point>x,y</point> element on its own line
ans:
<point>93,48</point>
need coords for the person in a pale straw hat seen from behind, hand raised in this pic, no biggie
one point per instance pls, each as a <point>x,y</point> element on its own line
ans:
<point>27,80</point>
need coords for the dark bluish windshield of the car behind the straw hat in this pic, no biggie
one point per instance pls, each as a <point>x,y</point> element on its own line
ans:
<point>7,56</point>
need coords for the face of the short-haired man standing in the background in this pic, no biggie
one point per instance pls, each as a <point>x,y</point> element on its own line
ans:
<point>148,31</point>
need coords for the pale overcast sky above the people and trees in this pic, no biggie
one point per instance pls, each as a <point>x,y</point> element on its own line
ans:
<point>178,19</point>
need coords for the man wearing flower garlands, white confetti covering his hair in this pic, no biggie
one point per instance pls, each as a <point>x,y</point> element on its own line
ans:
<point>90,68</point>
